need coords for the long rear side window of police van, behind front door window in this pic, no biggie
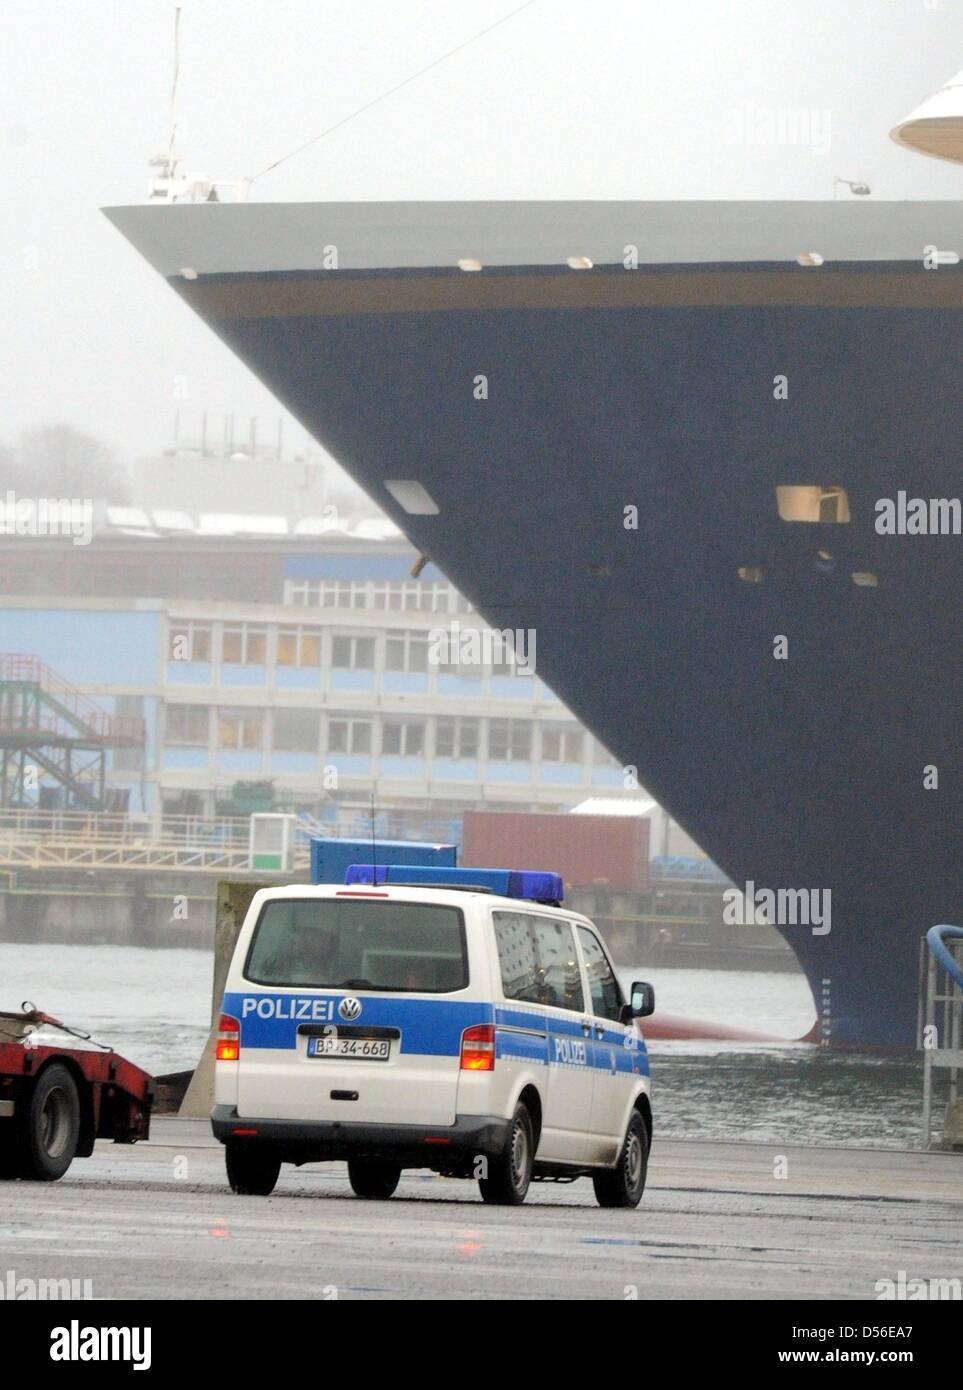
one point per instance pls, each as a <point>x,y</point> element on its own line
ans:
<point>538,963</point>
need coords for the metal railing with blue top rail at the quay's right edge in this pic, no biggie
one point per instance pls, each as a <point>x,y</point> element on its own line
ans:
<point>940,1036</point>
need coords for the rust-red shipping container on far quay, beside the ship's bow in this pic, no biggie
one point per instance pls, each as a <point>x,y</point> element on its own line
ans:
<point>586,850</point>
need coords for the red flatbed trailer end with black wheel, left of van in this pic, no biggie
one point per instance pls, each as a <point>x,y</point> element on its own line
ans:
<point>56,1099</point>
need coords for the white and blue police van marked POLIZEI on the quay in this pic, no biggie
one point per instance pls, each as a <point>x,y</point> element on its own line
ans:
<point>452,1020</point>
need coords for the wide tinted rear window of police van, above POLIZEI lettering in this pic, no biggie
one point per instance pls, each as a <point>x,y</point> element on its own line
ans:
<point>359,945</point>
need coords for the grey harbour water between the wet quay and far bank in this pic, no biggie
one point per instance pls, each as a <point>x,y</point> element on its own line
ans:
<point>155,1008</point>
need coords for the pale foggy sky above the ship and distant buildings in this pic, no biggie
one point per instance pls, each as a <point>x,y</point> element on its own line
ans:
<point>609,99</point>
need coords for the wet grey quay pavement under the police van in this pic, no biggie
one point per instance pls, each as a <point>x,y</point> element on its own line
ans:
<point>158,1221</point>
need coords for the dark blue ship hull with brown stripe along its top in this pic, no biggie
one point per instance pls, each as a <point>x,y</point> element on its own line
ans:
<point>655,390</point>
